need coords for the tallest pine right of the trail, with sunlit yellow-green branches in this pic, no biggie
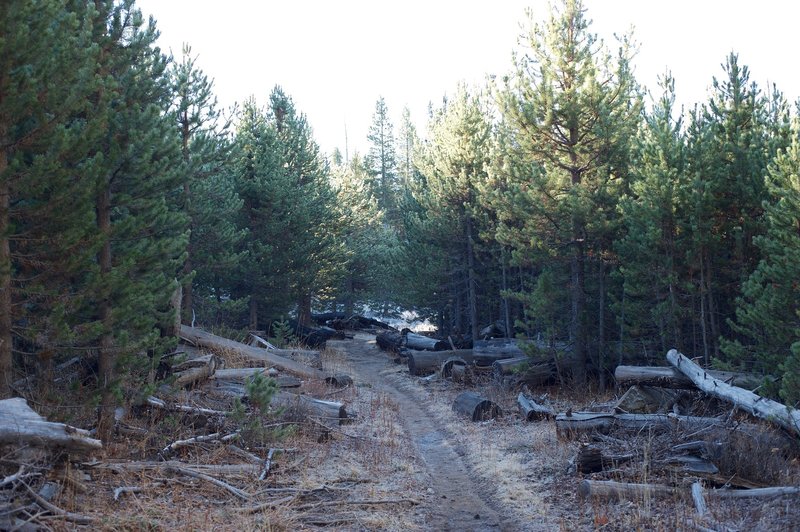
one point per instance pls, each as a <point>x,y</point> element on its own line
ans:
<point>572,111</point>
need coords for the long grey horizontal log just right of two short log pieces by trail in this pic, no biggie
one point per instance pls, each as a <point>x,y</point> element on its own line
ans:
<point>571,423</point>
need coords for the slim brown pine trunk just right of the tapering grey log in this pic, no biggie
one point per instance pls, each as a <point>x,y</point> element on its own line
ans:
<point>106,354</point>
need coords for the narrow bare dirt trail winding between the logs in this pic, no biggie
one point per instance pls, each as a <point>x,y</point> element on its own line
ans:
<point>457,501</point>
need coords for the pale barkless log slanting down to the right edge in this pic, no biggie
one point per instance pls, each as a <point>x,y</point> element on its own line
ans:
<point>746,400</point>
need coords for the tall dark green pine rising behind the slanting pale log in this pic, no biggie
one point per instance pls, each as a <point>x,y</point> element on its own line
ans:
<point>729,146</point>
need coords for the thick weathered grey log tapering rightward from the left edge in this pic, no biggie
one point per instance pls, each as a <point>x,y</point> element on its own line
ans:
<point>20,426</point>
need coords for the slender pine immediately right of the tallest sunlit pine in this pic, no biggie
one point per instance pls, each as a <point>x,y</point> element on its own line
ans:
<point>650,310</point>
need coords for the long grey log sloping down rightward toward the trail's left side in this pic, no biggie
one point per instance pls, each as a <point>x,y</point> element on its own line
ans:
<point>271,356</point>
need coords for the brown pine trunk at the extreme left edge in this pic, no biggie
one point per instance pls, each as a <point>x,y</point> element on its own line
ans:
<point>6,360</point>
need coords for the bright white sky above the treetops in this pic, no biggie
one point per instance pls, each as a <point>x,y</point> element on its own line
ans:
<point>336,57</point>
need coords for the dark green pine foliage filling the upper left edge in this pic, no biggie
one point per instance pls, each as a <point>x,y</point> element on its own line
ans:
<point>46,165</point>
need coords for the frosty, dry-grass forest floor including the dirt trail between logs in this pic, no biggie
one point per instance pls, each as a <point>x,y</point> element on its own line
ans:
<point>406,461</point>
